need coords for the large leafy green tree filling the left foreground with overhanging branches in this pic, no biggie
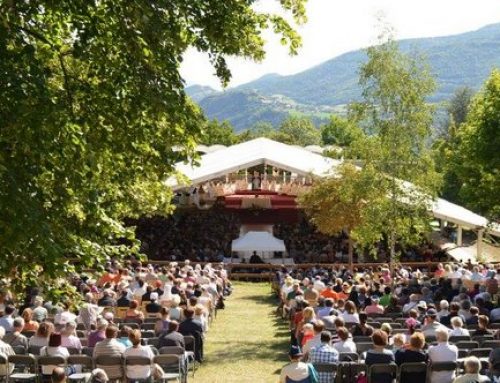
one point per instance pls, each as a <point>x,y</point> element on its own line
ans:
<point>91,106</point>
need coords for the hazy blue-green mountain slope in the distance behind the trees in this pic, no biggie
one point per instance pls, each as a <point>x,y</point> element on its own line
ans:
<point>459,60</point>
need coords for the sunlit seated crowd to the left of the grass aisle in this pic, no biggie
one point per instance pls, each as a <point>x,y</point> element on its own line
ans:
<point>129,311</point>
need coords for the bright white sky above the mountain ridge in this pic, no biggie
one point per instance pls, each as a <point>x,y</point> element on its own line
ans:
<point>338,26</point>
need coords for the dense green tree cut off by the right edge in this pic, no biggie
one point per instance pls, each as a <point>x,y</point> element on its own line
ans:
<point>475,159</point>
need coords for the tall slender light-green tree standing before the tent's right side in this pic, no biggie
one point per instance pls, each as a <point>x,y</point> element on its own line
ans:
<point>395,112</point>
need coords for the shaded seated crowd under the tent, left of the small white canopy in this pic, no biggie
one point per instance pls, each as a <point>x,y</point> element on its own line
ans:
<point>208,235</point>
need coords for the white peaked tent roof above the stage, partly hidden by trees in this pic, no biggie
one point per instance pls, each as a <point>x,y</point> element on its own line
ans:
<point>301,161</point>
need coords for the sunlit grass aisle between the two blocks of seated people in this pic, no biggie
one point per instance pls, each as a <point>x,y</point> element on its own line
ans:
<point>247,342</point>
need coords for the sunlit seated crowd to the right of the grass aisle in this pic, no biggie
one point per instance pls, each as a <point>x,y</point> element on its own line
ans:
<point>367,325</point>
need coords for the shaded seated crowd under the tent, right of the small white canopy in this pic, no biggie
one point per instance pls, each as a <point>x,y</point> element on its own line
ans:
<point>307,245</point>
